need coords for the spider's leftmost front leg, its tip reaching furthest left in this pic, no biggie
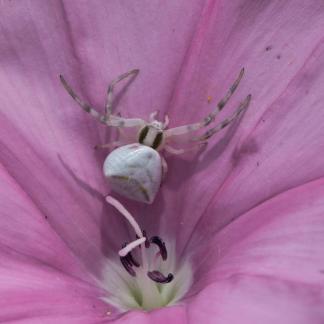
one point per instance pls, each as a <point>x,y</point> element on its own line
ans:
<point>111,120</point>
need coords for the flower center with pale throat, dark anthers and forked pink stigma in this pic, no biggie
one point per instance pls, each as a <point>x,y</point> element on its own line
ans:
<point>148,275</point>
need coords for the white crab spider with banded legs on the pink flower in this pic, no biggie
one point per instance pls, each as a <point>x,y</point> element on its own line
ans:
<point>136,170</point>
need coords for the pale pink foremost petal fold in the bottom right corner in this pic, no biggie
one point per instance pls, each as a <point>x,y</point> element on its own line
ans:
<point>243,299</point>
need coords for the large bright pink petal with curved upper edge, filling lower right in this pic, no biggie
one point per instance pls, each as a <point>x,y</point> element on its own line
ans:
<point>268,265</point>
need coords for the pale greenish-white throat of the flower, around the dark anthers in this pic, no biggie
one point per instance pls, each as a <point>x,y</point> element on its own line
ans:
<point>140,292</point>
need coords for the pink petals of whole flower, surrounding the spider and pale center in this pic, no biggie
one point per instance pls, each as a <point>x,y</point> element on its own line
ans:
<point>247,214</point>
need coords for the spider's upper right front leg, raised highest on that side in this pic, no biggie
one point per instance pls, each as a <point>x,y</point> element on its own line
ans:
<point>211,116</point>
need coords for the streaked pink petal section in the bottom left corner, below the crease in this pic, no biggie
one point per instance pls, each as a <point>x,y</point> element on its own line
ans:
<point>37,292</point>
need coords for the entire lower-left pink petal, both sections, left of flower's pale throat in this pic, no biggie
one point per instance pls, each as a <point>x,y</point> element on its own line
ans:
<point>40,278</point>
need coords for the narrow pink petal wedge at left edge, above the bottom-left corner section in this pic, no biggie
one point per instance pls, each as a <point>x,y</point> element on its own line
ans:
<point>24,229</point>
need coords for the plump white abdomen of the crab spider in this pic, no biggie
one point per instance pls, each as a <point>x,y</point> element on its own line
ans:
<point>134,171</point>
